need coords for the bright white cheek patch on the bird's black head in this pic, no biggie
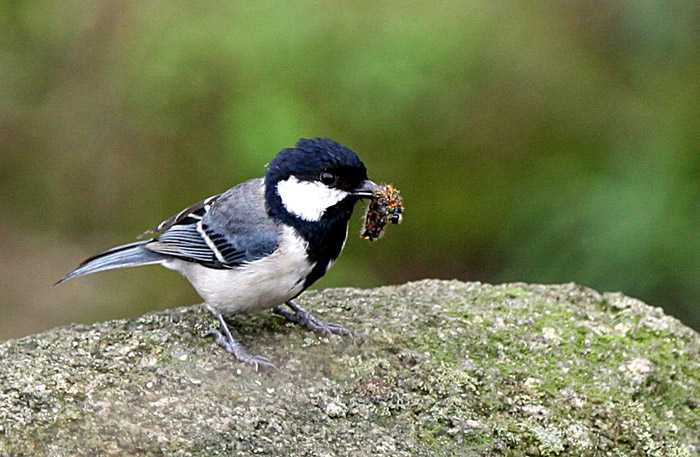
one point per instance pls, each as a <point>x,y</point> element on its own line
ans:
<point>308,200</point>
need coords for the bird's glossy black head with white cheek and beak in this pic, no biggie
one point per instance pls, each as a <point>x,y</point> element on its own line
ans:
<point>315,176</point>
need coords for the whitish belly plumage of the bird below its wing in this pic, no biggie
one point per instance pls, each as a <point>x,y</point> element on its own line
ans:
<point>264,283</point>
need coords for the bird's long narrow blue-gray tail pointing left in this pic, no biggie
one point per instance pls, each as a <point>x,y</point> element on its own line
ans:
<point>128,255</point>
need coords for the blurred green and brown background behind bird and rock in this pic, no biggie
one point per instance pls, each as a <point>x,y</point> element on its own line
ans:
<point>532,141</point>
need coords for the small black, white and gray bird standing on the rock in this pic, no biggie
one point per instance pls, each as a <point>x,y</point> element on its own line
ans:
<point>261,243</point>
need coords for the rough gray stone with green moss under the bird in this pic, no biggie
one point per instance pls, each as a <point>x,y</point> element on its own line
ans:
<point>435,368</point>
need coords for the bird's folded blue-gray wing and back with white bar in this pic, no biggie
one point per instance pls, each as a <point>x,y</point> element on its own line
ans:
<point>223,231</point>
